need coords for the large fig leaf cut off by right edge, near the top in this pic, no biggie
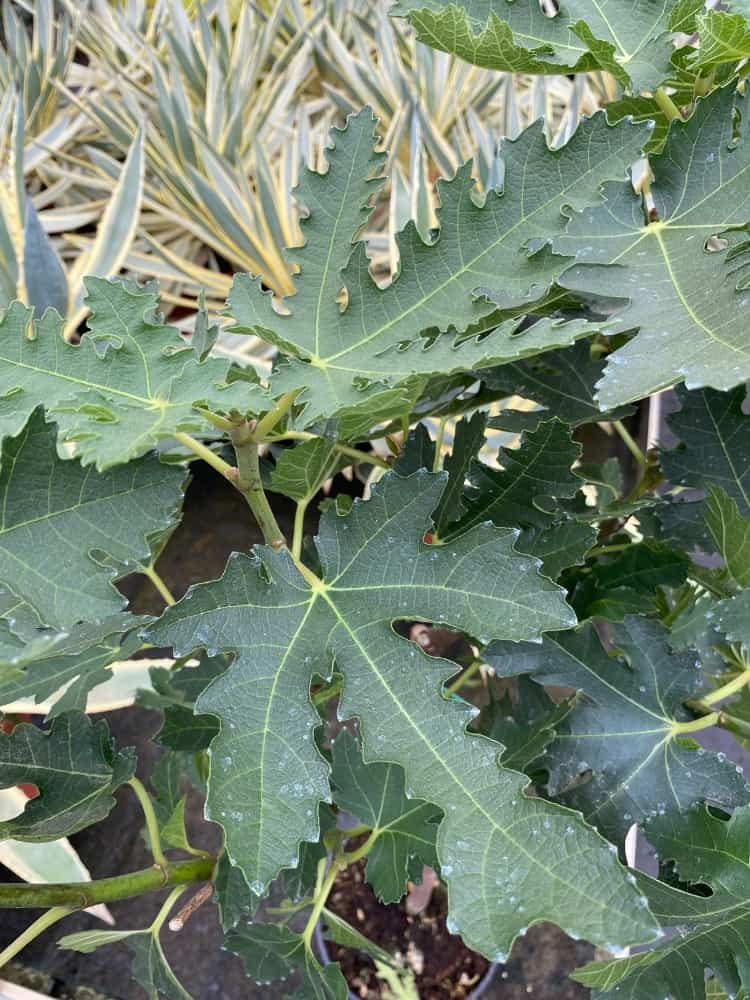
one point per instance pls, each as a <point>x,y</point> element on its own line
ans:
<point>661,262</point>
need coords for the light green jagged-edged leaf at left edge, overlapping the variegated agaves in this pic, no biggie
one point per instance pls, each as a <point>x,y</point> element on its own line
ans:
<point>131,383</point>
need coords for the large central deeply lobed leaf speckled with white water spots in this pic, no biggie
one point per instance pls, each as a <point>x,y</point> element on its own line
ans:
<point>266,776</point>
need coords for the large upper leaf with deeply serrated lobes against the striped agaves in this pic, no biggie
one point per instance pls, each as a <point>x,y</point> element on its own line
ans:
<point>370,346</point>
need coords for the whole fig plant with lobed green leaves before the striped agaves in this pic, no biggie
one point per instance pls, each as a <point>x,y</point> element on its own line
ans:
<point>603,617</point>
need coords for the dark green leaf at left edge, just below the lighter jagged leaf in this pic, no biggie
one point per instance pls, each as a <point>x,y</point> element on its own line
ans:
<point>102,524</point>
